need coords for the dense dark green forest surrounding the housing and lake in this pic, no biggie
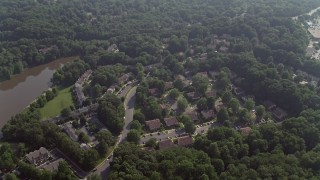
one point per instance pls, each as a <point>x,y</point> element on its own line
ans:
<point>256,39</point>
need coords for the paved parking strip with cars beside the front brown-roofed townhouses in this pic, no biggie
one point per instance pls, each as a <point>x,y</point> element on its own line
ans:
<point>201,129</point>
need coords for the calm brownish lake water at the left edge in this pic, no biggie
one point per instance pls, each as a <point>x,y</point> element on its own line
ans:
<point>22,89</point>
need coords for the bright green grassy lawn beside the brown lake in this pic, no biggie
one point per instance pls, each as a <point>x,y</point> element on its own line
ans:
<point>54,107</point>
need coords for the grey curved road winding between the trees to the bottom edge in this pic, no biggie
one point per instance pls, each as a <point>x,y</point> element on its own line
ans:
<point>104,168</point>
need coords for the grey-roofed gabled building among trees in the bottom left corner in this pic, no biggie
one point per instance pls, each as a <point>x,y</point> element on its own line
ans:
<point>38,157</point>
